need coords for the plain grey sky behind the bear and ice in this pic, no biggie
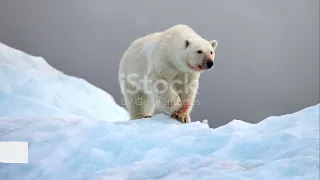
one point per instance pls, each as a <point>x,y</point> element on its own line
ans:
<point>267,61</point>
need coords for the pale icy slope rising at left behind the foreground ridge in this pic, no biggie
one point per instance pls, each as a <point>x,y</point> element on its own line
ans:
<point>29,86</point>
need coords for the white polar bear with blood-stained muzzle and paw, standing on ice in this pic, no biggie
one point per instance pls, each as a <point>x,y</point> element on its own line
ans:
<point>160,72</point>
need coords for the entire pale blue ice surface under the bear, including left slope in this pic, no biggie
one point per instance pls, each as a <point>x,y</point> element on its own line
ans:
<point>77,131</point>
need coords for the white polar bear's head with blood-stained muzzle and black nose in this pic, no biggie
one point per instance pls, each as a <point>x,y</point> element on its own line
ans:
<point>196,55</point>
